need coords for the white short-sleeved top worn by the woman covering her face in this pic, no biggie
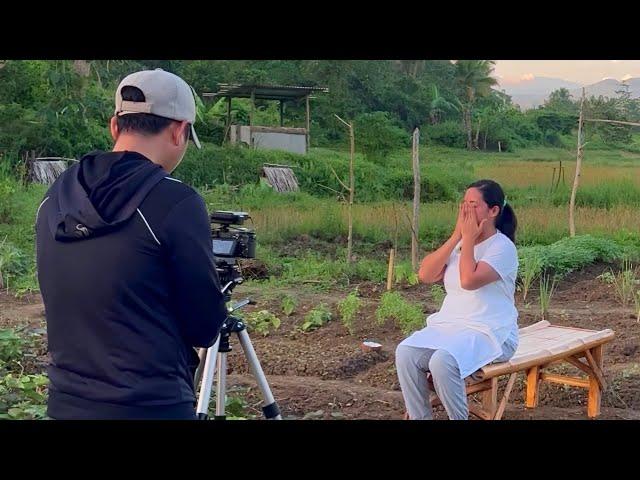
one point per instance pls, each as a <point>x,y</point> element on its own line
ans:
<point>472,325</point>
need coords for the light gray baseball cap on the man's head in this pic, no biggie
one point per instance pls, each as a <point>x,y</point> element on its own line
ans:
<point>166,95</point>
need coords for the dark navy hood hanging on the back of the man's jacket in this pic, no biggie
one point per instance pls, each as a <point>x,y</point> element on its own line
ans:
<point>100,193</point>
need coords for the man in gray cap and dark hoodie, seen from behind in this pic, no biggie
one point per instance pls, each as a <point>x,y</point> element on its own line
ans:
<point>125,265</point>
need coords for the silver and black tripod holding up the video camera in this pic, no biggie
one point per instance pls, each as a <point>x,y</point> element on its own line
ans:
<point>217,353</point>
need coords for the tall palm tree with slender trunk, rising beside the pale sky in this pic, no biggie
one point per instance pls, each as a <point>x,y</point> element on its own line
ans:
<point>474,80</point>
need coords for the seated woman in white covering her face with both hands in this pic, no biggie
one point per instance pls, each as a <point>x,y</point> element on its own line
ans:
<point>477,323</point>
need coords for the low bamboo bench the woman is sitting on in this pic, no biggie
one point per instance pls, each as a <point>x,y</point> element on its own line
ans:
<point>540,346</point>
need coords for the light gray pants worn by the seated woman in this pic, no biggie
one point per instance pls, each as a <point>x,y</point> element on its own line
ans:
<point>413,363</point>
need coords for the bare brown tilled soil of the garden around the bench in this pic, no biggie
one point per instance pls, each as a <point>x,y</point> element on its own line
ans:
<point>323,374</point>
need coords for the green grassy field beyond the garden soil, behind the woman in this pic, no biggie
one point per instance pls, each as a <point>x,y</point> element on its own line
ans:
<point>302,236</point>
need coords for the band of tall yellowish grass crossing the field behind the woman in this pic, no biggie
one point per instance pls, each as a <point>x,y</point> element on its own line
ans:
<point>287,217</point>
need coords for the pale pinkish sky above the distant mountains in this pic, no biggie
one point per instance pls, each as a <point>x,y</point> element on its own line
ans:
<point>510,72</point>
